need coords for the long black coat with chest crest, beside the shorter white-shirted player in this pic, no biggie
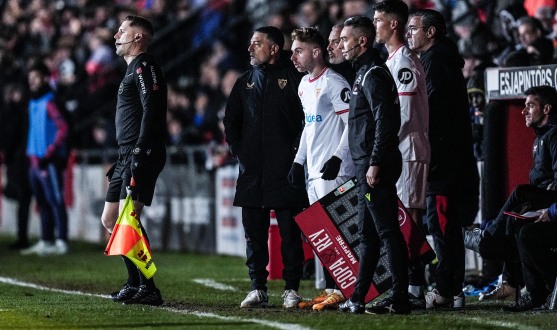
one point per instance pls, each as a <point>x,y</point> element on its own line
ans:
<point>263,124</point>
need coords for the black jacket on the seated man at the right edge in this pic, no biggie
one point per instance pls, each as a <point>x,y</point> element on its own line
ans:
<point>544,171</point>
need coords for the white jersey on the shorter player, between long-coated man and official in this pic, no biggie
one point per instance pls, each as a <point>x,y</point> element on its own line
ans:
<point>325,100</point>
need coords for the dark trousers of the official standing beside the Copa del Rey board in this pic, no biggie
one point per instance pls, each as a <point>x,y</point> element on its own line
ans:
<point>378,221</point>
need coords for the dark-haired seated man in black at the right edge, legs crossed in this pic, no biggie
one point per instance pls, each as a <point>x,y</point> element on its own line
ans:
<point>498,241</point>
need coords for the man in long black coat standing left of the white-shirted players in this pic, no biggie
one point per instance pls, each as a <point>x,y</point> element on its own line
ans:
<point>263,123</point>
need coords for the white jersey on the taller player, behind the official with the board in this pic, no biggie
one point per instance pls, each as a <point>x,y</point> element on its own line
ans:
<point>409,75</point>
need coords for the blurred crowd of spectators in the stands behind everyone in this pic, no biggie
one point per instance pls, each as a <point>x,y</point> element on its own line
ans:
<point>74,39</point>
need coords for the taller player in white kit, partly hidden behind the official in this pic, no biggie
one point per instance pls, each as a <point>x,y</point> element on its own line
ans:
<point>390,20</point>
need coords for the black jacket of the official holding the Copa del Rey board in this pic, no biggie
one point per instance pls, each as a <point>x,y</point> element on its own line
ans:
<point>374,118</point>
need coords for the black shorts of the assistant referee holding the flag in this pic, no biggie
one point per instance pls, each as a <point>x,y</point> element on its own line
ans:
<point>121,178</point>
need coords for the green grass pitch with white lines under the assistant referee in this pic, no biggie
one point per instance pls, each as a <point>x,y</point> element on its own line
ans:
<point>191,304</point>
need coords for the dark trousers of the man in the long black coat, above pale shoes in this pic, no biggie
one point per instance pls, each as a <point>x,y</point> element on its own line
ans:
<point>256,223</point>
